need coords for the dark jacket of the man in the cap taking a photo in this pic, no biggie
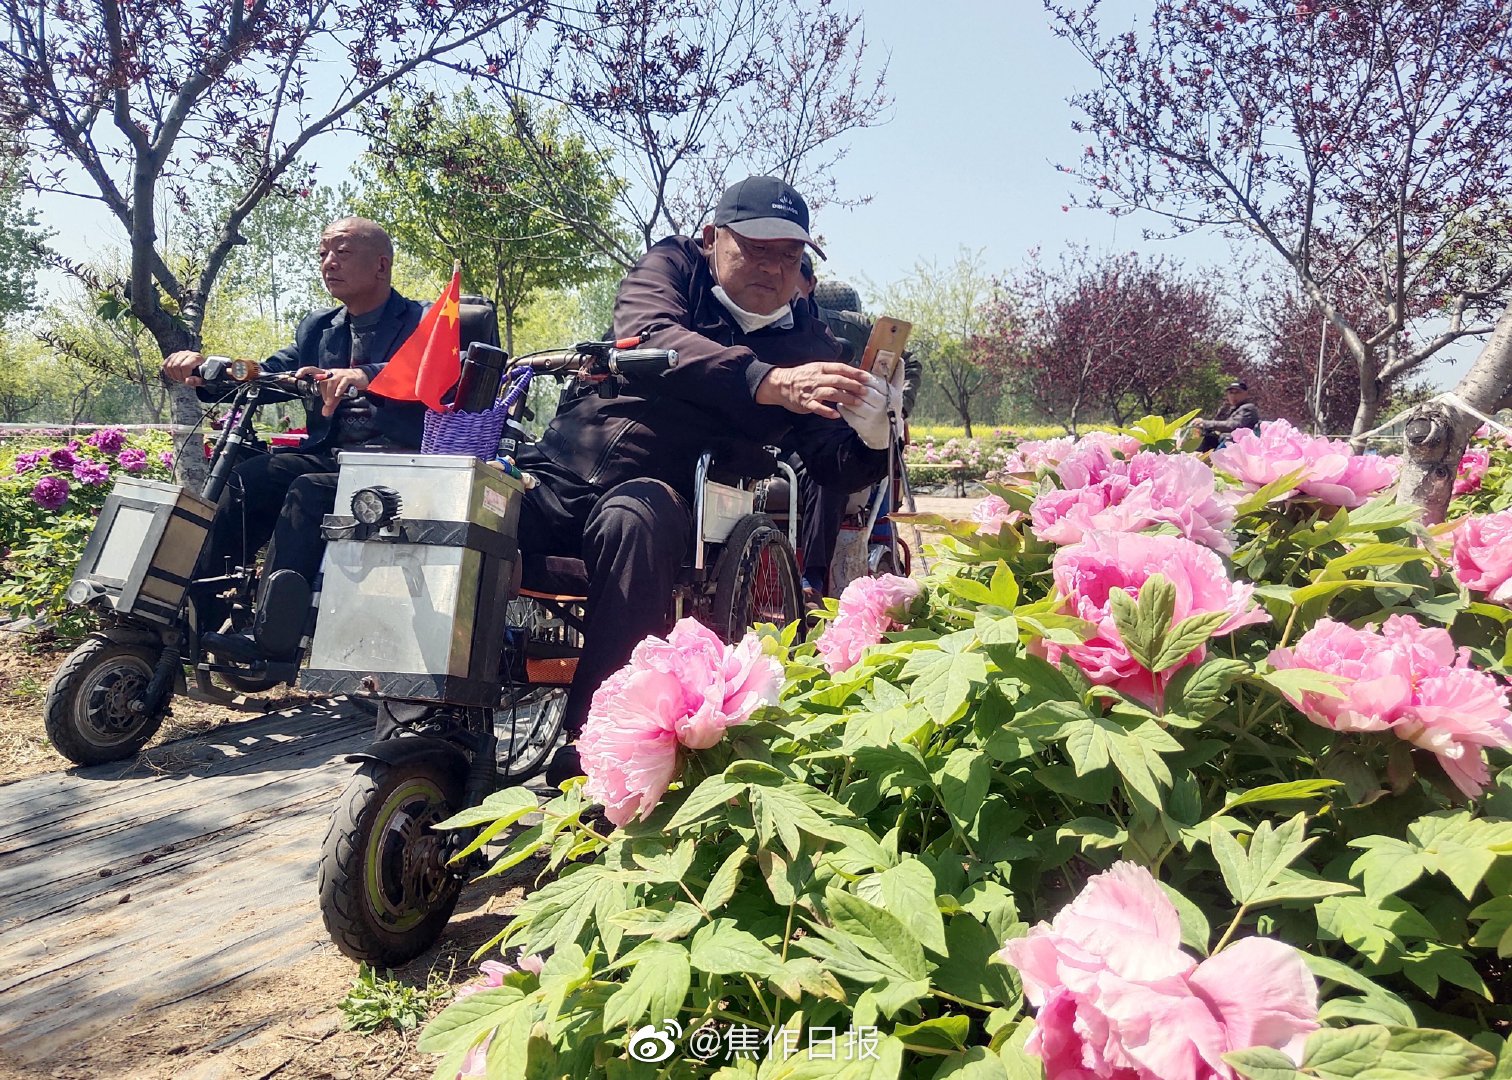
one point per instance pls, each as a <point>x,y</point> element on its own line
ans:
<point>660,427</point>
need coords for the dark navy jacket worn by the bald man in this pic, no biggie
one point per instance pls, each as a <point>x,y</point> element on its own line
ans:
<point>324,340</point>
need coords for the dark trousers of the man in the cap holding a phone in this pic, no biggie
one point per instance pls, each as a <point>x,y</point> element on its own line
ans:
<point>633,541</point>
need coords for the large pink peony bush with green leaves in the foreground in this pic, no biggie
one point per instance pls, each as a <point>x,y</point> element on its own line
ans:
<point>1171,771</point>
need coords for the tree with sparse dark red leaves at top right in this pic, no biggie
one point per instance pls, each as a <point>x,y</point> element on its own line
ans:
<point>1368,143</point>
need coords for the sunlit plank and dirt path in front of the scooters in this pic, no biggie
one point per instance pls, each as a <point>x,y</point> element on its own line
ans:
<point>161,914</point>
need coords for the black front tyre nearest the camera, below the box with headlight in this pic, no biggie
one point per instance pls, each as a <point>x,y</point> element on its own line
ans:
<point>386,892</point>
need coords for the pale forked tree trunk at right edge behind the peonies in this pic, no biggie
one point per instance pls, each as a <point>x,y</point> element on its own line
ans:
<point>1439,432</point>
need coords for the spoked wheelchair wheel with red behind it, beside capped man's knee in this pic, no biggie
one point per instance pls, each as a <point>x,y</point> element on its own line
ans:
<point>755,580</point>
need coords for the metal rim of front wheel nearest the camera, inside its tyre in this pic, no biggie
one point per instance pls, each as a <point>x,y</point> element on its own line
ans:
<point>406,857</point>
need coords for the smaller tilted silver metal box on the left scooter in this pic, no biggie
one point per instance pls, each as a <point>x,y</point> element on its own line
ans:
<point>143,550</point>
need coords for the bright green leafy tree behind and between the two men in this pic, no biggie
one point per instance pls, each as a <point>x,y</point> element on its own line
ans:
<point>453,182</point>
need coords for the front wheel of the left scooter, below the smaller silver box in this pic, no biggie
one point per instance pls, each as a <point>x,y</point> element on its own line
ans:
<point>88,707</point>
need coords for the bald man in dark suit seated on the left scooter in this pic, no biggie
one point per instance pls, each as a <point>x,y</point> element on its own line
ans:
<point>283,497</point>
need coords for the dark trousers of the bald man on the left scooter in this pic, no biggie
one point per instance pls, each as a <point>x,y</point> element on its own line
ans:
<point>280,498</point>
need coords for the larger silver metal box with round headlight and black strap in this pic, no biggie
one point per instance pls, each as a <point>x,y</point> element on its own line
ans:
<point>414,606</point>
